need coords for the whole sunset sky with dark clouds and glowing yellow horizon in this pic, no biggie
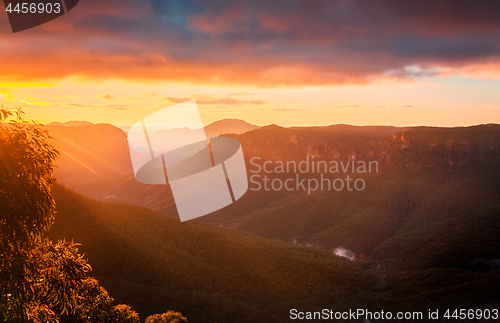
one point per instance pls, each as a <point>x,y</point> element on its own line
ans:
<point>289,62</point>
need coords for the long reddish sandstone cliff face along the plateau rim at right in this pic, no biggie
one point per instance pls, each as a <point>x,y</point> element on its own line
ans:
<point>413,148</point>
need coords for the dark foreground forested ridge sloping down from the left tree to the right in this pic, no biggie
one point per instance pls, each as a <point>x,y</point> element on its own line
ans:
<point>223,275</point>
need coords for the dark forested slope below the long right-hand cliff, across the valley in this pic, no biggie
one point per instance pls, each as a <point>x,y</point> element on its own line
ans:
<point>427,219</point>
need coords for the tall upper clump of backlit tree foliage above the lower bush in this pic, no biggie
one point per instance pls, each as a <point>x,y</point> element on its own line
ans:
<point>26,168</point>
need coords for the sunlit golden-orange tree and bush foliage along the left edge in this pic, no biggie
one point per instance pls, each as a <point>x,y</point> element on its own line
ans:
<point>40,280</point>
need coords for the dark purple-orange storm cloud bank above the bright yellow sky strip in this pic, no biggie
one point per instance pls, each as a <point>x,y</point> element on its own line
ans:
<point>265,43</point>
